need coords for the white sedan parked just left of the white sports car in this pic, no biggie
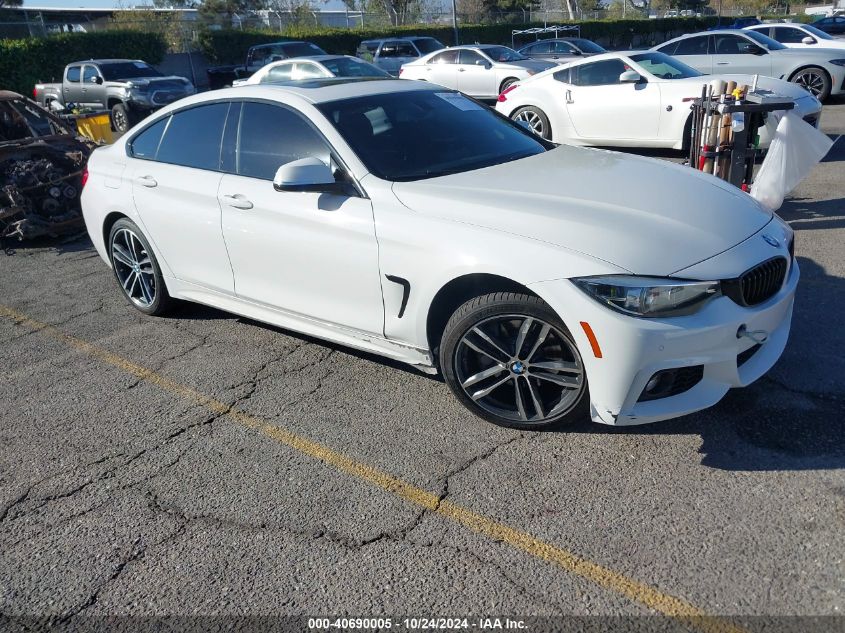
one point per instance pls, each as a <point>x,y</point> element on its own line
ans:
<point>481,71</point>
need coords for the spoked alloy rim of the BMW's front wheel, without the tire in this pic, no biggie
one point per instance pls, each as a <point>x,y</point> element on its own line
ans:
<point>520,368</point>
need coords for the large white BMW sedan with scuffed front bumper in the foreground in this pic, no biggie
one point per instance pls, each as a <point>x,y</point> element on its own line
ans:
<point>404,219</point>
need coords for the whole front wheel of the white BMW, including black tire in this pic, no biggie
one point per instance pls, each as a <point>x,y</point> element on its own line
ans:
<point>510,360</point>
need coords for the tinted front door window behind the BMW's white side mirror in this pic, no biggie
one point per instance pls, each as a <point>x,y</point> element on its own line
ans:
<point>271,136</point>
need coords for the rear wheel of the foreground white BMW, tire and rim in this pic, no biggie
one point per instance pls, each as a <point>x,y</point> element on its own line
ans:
<point>136,269</point>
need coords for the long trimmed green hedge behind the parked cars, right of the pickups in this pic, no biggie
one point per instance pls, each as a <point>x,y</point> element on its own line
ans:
<point>229,46</point>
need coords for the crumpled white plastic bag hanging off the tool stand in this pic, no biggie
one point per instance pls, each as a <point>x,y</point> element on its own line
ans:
<point>795,149</point>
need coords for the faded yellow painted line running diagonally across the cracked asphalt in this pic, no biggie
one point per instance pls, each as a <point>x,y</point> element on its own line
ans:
<point>635,590</point>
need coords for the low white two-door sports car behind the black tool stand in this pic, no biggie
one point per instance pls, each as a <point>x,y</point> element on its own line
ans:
<point>632,99</point>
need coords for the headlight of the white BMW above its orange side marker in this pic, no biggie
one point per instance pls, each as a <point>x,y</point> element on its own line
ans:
<point>649,296</point>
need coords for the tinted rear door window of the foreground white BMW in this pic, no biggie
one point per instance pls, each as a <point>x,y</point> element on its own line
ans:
<point>193,137</point>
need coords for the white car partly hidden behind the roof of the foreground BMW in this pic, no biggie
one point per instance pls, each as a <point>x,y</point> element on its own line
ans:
<point>314,67</point>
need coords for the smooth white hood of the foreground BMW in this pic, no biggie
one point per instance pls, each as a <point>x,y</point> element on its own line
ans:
<point>643,215</point>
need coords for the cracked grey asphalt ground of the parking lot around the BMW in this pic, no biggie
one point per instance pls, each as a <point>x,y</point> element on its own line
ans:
<point>204,464</point>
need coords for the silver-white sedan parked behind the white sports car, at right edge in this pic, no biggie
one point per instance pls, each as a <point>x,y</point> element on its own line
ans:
<point>821,71</point>
